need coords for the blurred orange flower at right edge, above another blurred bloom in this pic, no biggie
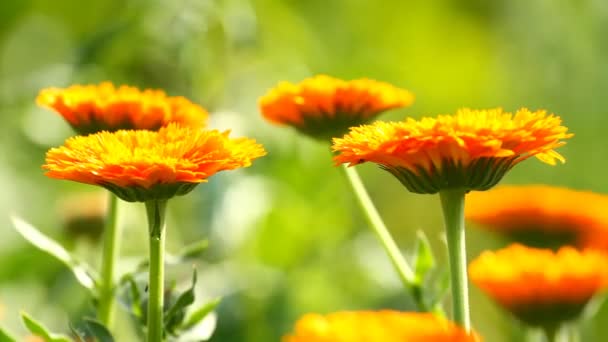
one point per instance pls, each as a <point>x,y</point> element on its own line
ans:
<point>541,215</point>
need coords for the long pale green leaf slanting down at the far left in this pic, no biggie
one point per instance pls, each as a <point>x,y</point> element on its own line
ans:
<point>82,271</point>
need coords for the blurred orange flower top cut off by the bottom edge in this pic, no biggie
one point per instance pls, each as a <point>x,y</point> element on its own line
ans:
<point>377,326</point>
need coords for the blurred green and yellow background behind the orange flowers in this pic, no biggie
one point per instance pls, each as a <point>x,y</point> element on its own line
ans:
<point>286,235</point>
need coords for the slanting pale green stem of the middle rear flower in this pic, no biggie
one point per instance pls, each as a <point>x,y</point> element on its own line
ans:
<point>403,269</point>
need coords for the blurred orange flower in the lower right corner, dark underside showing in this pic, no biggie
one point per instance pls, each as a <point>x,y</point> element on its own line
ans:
<point>539,286</point>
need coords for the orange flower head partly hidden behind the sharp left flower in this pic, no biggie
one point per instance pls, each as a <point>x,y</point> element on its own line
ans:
<point>104,107</point>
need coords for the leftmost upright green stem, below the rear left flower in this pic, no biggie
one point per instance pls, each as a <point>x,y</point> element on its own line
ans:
<point>111,248</point>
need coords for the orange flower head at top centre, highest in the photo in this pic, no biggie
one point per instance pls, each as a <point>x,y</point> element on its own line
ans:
<point>324,107</point>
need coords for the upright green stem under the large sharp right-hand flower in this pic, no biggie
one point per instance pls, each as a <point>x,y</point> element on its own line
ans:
<point>452,202</point>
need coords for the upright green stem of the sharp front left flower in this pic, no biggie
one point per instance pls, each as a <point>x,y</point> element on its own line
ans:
<point>155,210</point>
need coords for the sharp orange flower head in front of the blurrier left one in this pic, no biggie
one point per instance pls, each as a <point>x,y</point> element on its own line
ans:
<point>140,165</point>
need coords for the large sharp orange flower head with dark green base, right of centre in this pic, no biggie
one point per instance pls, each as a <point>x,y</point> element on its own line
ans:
<point>472,149</point>
